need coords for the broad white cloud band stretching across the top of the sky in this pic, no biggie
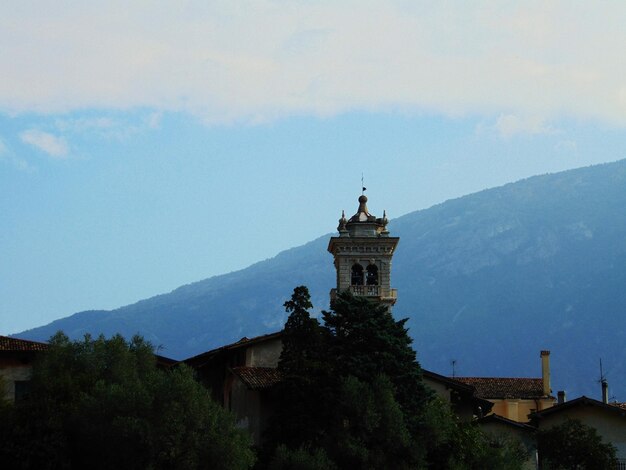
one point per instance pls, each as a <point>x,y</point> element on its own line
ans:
<point>260,60</point>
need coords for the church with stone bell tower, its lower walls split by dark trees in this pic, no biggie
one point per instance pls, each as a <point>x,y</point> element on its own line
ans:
<point>241,375</point>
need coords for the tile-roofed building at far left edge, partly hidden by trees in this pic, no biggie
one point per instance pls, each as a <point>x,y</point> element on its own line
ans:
<point>16,364</point>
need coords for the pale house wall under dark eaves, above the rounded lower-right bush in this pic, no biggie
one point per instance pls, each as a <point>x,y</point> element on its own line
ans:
<point>610,426</point>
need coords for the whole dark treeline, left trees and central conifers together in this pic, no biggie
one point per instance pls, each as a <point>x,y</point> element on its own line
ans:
<point>352,397</point>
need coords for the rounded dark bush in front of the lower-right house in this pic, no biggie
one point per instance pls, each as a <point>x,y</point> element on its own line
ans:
<point>574,445</point>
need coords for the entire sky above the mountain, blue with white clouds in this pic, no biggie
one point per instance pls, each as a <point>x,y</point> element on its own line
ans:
<point>145,146</point>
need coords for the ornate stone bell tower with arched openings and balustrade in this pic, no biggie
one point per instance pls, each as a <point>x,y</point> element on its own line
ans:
<point>362,253</point>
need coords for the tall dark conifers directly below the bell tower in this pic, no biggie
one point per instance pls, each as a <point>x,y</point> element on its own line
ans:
<point>352,387</point>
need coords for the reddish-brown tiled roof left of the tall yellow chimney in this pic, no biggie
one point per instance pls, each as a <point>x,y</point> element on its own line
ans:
<point>500,387</point>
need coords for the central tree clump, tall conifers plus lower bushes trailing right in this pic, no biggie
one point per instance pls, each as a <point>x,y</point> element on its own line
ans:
<point>353,397</point>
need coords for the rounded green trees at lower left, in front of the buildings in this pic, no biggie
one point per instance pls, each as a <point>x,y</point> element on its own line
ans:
<point>104,404</point>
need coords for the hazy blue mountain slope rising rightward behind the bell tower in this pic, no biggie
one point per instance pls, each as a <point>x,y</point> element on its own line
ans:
<point>487,280</point>
